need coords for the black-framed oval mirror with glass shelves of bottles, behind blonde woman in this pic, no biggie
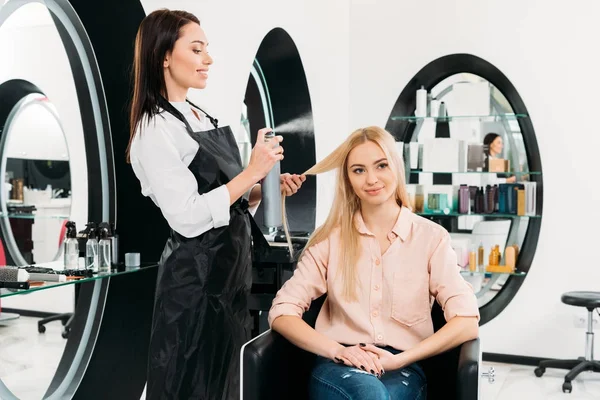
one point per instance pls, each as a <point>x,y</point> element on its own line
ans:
<point>473,166</point>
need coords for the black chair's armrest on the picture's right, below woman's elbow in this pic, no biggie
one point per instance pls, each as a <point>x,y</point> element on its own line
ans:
<point>467,385</point>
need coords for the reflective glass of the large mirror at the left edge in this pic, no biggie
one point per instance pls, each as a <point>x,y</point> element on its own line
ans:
<point>42,135</point>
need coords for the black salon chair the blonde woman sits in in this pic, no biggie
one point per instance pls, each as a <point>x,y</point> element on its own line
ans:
<point>273,368</point>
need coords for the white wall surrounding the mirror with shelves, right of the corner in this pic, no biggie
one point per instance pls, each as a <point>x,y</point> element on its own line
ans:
<point>549,52</point>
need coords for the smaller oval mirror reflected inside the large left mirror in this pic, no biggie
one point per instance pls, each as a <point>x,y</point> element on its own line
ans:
<point>36,189</point>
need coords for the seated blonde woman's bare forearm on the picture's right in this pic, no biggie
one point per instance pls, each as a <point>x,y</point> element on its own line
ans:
<point>456,331</point>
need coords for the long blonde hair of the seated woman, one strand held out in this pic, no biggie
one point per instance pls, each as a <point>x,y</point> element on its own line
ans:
<point>346,203</point>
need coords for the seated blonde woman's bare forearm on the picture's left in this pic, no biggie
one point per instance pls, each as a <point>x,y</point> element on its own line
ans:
<point>302,335</point>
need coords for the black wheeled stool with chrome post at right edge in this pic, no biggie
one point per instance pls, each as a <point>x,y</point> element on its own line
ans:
<point>591,301</point>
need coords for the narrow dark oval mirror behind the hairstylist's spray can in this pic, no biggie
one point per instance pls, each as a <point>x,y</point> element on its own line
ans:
<point>277,71</point>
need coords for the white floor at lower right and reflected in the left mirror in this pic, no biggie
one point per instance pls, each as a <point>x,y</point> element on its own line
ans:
<point>28,360</point>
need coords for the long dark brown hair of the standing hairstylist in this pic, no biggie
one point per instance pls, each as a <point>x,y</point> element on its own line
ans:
<point>156,36</point>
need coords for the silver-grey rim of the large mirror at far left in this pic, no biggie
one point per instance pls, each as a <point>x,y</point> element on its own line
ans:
<point>101,184</point>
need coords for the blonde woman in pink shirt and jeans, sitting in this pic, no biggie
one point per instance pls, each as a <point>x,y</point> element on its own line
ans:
<point>381,267</point>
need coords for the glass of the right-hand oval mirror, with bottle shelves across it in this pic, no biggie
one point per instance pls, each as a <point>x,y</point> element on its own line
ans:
<point>466,155</point>
